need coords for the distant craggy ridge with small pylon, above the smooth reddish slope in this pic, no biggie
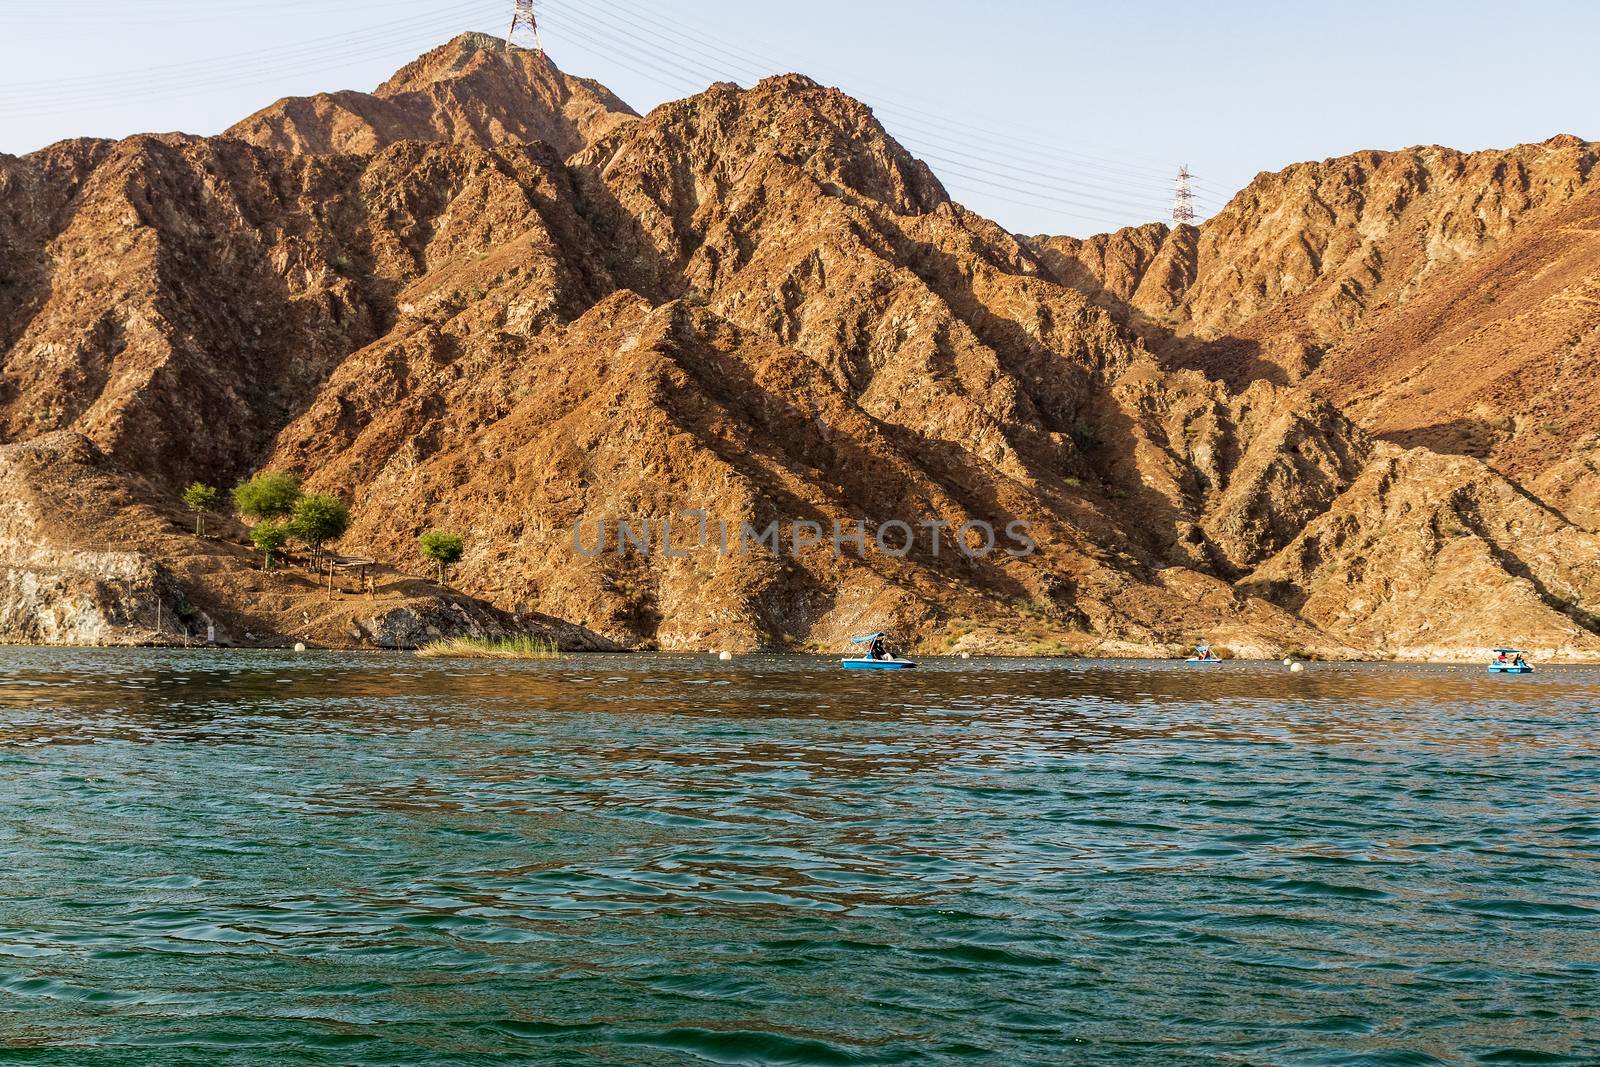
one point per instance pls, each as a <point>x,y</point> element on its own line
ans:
<point>1303,257</point>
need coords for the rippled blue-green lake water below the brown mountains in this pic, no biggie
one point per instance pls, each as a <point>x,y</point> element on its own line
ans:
<point>262,858</point>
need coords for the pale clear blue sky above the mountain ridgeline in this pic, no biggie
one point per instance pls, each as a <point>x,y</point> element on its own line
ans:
<point>1057,118</point>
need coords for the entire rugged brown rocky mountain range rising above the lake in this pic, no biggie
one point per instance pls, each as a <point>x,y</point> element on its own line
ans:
<point>1350,415</point>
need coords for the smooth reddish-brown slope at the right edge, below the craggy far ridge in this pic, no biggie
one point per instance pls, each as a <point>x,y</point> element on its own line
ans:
<point>1497,359</point>
